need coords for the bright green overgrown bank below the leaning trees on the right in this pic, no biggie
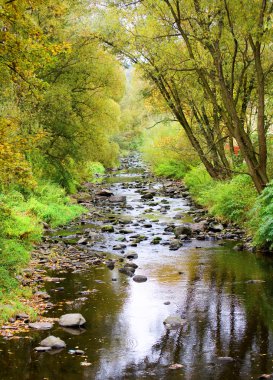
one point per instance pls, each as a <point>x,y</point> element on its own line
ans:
<point>233,201</point>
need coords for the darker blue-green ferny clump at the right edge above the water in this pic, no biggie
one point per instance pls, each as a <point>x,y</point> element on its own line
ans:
<point>261,223</point>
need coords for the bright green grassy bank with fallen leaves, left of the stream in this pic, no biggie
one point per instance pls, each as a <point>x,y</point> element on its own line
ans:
<point>22,215</point>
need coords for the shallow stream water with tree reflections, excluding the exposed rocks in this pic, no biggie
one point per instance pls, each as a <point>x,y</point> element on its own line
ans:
<point>228,333</point>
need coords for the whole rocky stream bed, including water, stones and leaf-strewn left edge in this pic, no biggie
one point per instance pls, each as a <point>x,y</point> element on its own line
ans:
<point>166,291</point>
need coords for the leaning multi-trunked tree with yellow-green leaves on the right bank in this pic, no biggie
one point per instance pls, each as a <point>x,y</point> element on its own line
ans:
<point>226,54</point>
